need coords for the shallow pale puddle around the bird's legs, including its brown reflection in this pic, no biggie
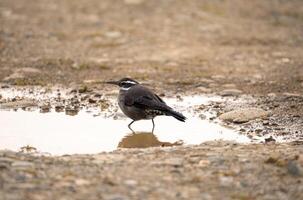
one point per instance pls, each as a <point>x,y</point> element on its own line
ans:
<point>93,130</point>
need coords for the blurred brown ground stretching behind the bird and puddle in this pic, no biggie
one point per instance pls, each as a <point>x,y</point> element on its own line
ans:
<point>256,45</point>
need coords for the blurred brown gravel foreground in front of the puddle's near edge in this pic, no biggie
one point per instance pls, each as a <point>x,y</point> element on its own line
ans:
<point>212,170</point>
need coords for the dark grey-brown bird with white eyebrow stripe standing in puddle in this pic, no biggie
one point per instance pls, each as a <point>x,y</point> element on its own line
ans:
<point>140,103</point>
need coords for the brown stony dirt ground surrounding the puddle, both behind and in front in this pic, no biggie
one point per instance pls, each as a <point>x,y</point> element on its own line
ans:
<point>229,48</point>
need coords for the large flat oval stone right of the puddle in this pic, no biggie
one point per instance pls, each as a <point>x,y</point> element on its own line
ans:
<point>243,115</point>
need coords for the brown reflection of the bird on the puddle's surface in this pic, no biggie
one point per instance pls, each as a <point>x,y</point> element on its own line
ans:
<point>144,140</point>
